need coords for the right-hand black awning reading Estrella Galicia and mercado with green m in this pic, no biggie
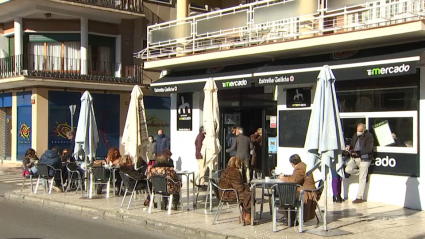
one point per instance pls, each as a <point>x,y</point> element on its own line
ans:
<point>402,63</point>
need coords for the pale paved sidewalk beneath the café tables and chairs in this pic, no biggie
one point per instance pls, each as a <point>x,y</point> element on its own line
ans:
<point>368,220</point>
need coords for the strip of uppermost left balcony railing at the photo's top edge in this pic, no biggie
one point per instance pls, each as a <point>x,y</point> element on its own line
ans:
<point>126,5</point>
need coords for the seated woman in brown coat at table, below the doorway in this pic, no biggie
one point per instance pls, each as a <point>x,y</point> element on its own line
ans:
<point>231,178</point>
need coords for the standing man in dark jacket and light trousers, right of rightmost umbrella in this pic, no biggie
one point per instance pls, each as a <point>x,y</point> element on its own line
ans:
<point>361,157</point>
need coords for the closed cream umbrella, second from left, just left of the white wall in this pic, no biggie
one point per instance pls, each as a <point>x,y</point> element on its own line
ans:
<point>135,135</point>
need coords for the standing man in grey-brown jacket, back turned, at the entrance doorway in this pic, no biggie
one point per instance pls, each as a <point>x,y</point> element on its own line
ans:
<point>243,145</point>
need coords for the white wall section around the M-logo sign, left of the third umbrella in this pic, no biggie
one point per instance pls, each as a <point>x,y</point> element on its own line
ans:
<point>183,142</point>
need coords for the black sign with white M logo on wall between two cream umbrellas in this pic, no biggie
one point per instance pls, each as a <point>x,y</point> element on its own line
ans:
<point>184,112</point>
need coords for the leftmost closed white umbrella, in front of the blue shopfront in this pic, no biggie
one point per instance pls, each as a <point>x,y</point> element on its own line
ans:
<point>87,136</point>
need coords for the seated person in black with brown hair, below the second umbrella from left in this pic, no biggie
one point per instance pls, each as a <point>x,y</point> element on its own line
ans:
<point>127,167</point>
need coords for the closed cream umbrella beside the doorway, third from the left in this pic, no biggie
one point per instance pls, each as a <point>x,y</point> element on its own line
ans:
<point>211,145</point>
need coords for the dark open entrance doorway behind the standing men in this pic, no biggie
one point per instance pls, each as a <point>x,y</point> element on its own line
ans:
<point>251,109</point>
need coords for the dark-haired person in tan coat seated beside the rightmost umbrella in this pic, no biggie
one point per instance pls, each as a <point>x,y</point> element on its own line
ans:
<point>307,181</point>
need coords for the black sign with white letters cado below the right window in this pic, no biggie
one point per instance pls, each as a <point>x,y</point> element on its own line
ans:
<point>395,164</point>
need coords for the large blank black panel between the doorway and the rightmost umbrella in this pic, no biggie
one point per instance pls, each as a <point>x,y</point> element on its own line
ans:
<point>293,126</point>
